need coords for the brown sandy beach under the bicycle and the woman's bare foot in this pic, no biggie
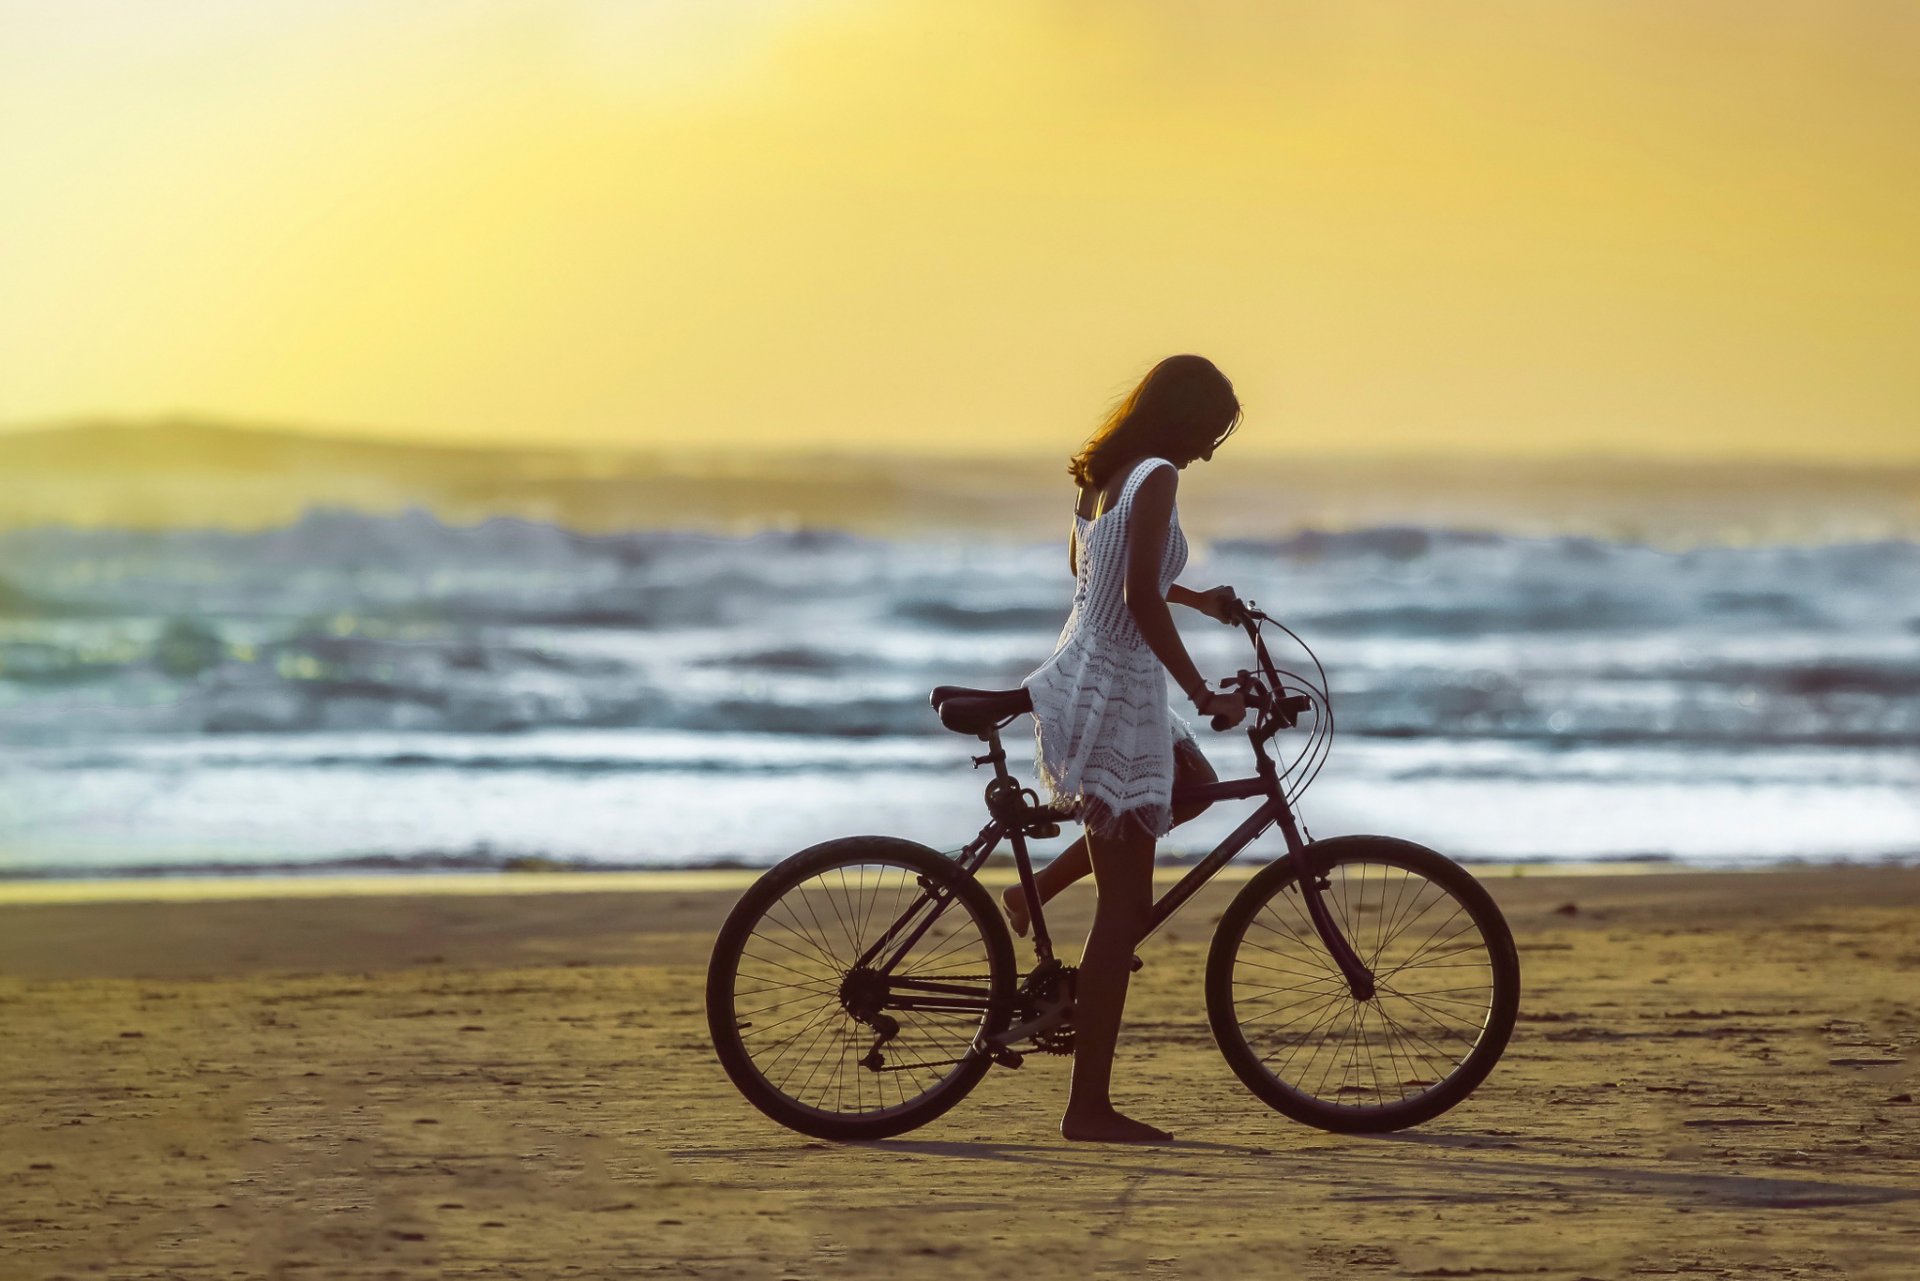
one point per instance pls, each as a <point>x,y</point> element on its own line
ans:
<point>1714,1076</point>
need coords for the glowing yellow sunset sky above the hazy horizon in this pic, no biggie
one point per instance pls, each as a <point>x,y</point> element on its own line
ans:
<point>1666,226</point>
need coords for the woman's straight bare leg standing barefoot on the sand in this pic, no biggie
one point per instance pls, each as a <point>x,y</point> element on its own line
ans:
<point>1124,871</point>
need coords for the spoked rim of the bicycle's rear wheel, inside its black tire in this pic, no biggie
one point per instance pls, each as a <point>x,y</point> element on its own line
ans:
<point>796,994</point>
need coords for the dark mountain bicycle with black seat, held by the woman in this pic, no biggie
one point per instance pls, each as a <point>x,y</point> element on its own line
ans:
<point>865,986</point>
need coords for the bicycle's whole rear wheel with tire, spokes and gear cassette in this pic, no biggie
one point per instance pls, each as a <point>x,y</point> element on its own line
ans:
<point>840,1048</point>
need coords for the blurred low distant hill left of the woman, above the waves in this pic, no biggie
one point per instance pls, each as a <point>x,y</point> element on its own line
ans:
<point>214,475</point>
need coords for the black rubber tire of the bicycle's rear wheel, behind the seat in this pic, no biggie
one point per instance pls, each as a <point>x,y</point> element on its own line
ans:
<point>761,904</point>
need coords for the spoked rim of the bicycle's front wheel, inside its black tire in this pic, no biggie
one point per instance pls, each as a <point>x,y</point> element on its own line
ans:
<point>1435,998</point>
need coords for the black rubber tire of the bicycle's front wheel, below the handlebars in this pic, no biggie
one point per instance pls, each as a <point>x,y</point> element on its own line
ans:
<point>1322,996</point>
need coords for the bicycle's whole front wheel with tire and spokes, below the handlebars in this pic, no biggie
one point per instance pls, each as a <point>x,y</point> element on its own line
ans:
<point>1449,986</point>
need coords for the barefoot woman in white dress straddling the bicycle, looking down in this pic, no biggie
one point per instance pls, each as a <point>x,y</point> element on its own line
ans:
<point>1107,738</point>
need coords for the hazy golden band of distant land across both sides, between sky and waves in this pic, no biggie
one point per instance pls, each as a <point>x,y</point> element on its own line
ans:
<point>191,473</point>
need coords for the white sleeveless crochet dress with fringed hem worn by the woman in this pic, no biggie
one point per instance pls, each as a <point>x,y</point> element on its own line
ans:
<point>1101,715</point>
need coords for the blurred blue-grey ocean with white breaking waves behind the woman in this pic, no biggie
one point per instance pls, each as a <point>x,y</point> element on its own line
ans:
<point>358,692</point>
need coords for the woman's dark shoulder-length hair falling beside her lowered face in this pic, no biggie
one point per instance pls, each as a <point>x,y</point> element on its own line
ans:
<point>1182,410</point>
